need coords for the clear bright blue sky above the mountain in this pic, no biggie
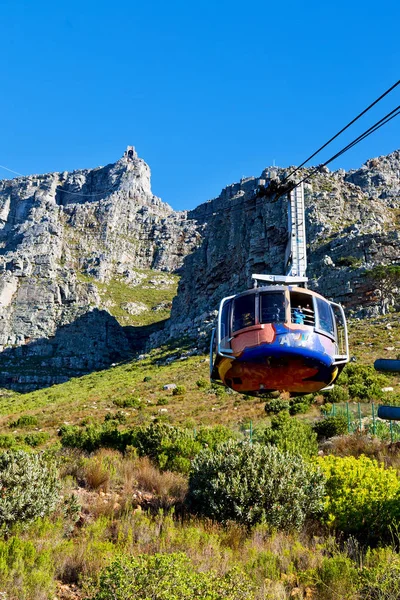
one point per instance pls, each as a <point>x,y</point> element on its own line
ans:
<point>206,91</point>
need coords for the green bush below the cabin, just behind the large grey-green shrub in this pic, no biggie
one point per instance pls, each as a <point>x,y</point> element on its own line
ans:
<point>291,435</point>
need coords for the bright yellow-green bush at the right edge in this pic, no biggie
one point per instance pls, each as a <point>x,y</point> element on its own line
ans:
<point>361,495</point>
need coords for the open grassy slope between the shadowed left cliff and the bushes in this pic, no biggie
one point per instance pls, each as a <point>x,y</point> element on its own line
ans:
<point>137,389</point>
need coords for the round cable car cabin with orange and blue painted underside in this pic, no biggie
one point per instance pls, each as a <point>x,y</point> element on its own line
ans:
<point>278,337</point>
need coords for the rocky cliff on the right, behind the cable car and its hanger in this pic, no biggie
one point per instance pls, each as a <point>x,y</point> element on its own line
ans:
<point>352,225</point>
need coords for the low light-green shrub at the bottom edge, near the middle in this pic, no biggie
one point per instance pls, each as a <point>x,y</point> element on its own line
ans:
<point>168,577</point>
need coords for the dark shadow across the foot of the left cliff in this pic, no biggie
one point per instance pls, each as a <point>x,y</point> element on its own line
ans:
<point>93,342</point>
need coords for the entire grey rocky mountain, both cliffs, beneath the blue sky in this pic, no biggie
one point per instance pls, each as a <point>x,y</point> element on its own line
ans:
<point>90,260</point>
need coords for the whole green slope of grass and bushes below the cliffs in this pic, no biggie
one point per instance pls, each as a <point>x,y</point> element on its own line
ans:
<point>126,441</point>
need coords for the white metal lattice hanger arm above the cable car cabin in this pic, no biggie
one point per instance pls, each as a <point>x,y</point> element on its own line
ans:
<point>296,251</point>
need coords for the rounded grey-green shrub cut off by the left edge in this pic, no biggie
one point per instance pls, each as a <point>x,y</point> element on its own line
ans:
<point>29,484</point>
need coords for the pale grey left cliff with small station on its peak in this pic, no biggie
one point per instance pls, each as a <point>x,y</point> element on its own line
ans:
<point>67,242</point>
